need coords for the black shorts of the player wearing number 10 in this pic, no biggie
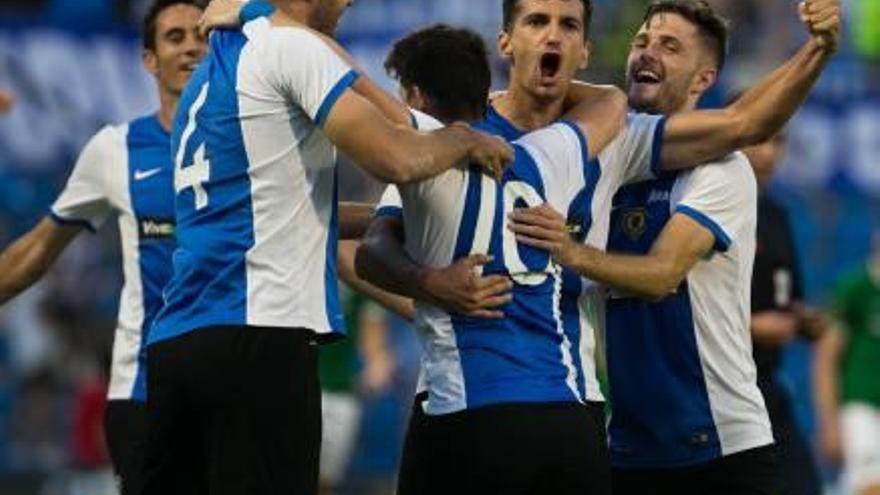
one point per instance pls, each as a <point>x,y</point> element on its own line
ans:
<point>557,448</point>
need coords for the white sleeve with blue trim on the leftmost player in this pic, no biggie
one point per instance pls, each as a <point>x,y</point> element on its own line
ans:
<point>84,200</point>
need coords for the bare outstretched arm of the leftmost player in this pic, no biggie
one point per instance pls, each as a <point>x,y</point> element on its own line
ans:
<point>25,262</point>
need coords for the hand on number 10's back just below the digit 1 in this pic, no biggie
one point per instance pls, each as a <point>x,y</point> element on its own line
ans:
<point>458,289</point>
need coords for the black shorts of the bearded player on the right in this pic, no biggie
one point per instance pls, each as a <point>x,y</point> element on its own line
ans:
<point>753,472</point>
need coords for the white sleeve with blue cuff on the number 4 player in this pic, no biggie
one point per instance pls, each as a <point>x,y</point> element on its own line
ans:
<point>307,71</point>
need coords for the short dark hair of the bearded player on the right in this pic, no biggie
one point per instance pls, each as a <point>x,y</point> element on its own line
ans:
<point>714,29</point>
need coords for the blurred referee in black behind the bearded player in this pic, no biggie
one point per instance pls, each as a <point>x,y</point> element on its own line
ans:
<point>779,317</point>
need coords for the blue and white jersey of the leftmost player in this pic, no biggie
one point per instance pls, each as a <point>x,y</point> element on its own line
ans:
<point>127,170</point>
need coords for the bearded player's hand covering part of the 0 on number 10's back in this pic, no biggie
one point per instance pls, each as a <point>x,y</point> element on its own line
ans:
<point>544,228</point>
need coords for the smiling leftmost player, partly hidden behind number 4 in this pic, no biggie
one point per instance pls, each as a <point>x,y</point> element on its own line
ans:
<point>124,170</point>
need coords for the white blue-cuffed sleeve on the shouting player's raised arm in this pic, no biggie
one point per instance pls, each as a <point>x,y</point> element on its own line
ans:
<point>639,148</point>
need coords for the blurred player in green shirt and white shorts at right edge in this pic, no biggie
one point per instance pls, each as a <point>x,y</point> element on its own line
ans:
<point>846,377</point>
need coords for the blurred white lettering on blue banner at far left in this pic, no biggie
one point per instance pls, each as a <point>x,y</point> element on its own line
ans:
<point>67,86</point>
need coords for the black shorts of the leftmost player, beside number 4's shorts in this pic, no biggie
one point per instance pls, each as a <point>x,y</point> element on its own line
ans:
<point>125,428</point>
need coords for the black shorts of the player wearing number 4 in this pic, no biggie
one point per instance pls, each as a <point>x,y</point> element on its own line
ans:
<point>234,411</point>
